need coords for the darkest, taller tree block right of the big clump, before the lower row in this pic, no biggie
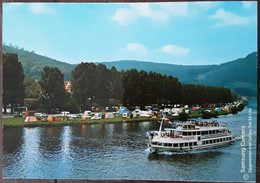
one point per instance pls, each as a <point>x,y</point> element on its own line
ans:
<point>142,88</point>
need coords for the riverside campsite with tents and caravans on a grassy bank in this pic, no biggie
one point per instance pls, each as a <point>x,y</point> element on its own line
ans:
<point>32,119</point>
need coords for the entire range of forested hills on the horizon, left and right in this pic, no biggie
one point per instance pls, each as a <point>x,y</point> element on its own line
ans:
<point>239,75</point>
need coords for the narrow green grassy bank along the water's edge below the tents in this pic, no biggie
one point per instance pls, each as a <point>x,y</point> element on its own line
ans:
<point>10,121</point>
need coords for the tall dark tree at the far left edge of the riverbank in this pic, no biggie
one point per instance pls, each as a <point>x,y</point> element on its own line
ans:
<point>13,77</point>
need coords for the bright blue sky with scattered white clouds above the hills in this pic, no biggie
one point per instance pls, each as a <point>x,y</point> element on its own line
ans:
<point>176,33</point>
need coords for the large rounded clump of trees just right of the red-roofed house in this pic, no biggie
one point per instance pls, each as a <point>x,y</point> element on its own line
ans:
<point>96,84</point>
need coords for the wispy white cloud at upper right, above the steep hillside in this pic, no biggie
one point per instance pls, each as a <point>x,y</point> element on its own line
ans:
<point>228,18</point>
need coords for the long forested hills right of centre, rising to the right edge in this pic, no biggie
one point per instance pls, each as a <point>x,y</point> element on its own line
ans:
<point>239,75</point>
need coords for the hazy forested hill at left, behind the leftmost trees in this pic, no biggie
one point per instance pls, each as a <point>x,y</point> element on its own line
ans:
<point>34,63</point>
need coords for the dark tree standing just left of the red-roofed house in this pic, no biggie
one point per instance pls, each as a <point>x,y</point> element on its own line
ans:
<point>53,94</point>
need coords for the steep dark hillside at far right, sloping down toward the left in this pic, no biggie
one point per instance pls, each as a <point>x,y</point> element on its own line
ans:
<point>239,75</point>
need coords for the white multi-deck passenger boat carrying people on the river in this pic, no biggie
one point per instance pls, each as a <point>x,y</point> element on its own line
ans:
<point>190,136</point>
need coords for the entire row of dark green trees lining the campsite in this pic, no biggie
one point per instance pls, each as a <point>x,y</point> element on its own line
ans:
<point>97,85</point>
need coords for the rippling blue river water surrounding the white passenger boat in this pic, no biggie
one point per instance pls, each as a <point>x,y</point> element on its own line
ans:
<point>119,151</point>
